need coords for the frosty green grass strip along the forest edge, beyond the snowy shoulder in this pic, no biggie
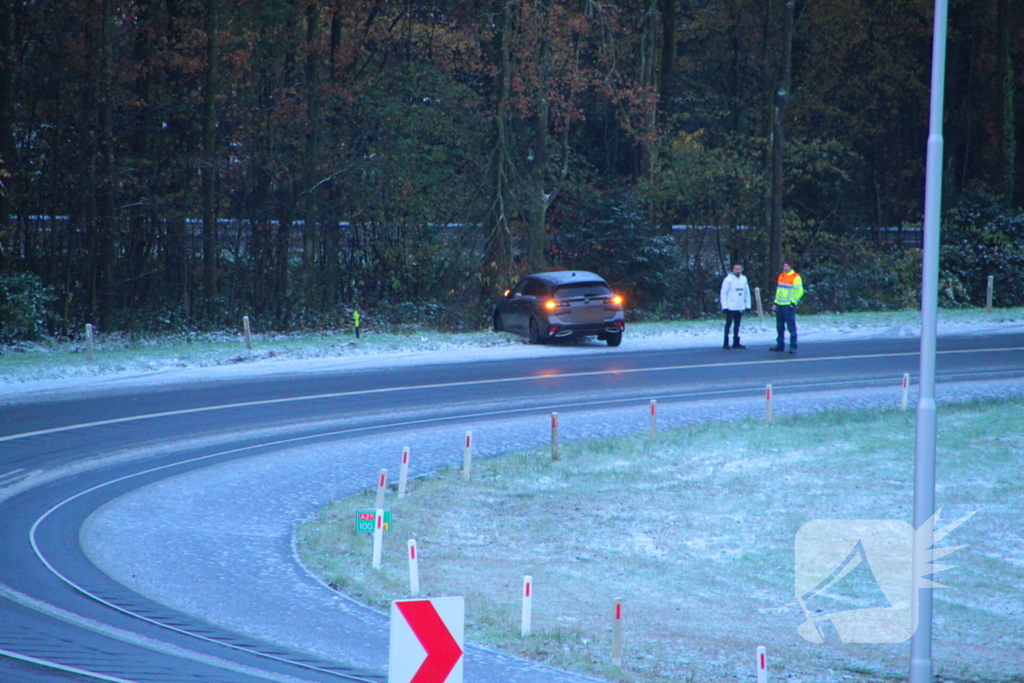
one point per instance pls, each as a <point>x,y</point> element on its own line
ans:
<point>121,355</point>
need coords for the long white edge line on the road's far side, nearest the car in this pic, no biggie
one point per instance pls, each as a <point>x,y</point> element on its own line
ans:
<point>506,380</point>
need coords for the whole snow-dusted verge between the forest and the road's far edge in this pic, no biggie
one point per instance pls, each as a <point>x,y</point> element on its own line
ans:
<point>35,372</point>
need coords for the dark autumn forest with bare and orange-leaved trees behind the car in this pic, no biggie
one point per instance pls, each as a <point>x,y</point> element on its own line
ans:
<point>173,165</point>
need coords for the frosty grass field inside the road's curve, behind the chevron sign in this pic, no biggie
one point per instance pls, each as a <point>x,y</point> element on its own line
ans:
<point>697,534</point>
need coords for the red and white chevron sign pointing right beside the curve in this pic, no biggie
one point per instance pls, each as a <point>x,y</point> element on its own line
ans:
<point>426,641</point>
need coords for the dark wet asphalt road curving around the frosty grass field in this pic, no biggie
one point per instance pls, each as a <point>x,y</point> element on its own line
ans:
<point>62,619</point>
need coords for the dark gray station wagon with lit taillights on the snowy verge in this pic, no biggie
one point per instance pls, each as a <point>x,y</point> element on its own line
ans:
<point>550,306</point>
